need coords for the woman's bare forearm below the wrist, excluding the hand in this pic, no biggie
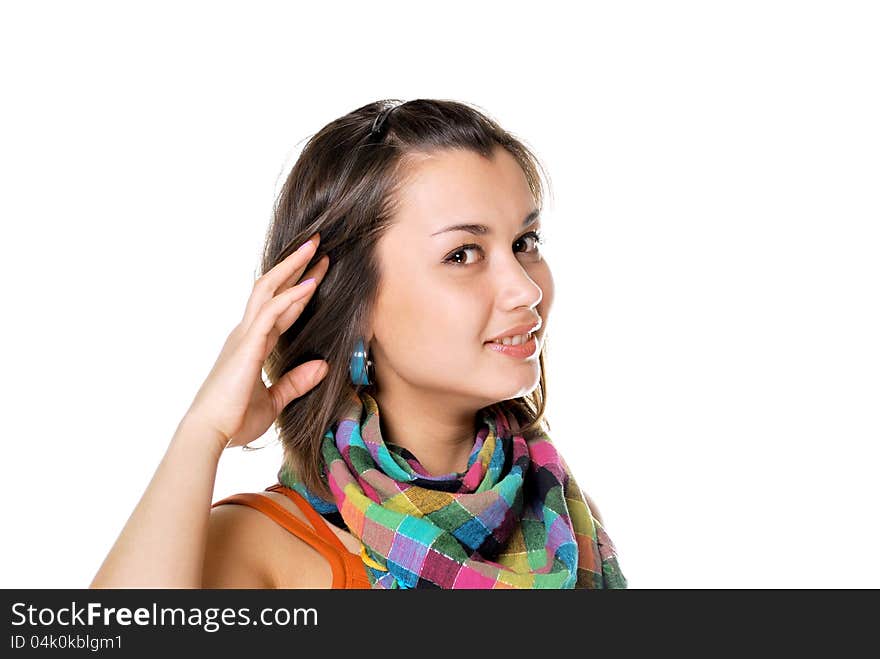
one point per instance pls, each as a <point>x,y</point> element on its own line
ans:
<point>163,542</point>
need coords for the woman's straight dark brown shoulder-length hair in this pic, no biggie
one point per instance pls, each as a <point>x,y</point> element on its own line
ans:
<point>344,186</point>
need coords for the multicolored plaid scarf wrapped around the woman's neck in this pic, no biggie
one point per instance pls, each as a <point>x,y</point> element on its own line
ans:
<point>515,518</point>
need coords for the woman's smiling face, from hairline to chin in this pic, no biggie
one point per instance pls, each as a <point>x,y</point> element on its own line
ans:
<point>445,293</point>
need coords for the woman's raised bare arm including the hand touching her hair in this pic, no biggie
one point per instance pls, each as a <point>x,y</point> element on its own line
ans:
<point>164,540</point>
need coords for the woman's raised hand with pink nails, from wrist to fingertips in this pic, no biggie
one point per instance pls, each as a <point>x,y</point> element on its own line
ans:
<point>233,400</point>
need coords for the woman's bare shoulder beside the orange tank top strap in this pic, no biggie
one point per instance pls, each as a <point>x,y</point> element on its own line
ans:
<point>247,549</point>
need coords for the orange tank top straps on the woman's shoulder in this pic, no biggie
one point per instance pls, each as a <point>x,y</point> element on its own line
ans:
<point>349,570</point>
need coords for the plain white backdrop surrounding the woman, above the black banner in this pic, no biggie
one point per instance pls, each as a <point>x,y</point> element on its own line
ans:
<point>713,237</point>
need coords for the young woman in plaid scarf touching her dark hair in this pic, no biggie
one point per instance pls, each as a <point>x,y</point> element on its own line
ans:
<point>400,318</point>
